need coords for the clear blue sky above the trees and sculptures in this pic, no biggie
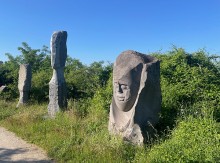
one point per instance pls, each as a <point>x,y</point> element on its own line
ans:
<point>102,29</point>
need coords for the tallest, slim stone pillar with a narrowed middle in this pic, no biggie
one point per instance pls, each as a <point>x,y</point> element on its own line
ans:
<point>57,90</point>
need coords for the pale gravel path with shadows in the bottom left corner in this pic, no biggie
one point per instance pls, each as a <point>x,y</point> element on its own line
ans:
<point>14,149</point>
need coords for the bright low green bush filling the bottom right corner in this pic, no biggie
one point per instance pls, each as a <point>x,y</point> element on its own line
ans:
<point>193,140</point>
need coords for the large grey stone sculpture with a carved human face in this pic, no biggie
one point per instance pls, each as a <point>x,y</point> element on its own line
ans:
<point>136,99</point>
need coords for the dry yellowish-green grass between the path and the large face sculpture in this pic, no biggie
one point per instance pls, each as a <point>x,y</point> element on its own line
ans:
<point>68,137</point>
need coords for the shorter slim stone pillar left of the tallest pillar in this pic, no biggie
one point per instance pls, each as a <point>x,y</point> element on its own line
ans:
<point>24,83</point>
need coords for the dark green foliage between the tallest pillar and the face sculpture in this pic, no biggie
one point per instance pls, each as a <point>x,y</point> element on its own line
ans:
<point>83,81</point>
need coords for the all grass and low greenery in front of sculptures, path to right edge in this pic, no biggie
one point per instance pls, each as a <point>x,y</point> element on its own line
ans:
<point>73,138</point>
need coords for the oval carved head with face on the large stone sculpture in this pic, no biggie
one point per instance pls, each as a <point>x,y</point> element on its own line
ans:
<point>126,79</point>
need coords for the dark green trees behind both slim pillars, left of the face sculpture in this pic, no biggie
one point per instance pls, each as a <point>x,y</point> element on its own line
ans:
<point>82,80</point>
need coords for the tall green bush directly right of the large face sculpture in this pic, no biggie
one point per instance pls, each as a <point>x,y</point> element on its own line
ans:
<point>187,81</point>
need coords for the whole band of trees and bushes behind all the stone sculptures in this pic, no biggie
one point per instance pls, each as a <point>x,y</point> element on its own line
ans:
<point>188,81</point>
